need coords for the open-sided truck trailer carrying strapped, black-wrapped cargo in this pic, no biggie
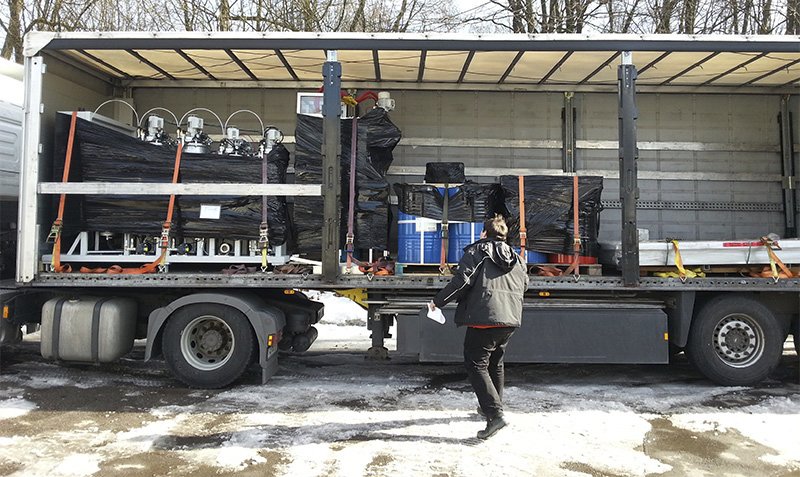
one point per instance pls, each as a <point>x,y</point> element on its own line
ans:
<point>694,136</point>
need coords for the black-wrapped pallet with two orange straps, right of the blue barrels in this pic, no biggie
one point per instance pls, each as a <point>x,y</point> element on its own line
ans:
<point>548,212</point>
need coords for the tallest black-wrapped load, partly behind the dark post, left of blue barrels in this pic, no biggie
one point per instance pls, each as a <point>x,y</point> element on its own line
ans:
<point>377,136</point>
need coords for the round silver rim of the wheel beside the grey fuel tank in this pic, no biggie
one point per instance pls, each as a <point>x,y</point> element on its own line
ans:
<point>207,343</point>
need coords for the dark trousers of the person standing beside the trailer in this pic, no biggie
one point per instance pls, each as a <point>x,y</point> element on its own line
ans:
<point>483,357</point>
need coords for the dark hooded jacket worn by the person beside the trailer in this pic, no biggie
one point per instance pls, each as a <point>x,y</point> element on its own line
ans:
<point>489,285</point>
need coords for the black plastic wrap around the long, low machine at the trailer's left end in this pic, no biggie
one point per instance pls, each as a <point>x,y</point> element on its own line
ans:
<point>105,155</point>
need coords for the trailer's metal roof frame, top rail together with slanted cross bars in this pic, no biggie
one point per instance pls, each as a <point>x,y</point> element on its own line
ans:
<point>471,44</point>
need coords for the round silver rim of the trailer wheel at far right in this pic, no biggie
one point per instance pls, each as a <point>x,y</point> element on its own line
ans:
<point>738,340</point>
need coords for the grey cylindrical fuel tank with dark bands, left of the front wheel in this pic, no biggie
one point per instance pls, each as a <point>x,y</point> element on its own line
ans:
<point>88,329</point>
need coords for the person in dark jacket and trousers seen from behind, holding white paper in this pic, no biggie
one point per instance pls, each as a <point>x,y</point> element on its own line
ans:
<point>489,285</point>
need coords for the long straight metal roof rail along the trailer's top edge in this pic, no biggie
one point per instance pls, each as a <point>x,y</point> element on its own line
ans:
<point>412,41</point>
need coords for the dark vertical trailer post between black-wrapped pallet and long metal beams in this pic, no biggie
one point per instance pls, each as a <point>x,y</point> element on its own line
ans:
<point>628,154</point>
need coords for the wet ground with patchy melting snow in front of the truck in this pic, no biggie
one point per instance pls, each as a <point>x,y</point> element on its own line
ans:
<point>330,412</point>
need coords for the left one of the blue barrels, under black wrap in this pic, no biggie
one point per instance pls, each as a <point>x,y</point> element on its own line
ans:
<point>419,239</point>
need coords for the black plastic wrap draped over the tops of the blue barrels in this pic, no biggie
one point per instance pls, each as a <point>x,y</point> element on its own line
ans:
<point>468,202</point>
